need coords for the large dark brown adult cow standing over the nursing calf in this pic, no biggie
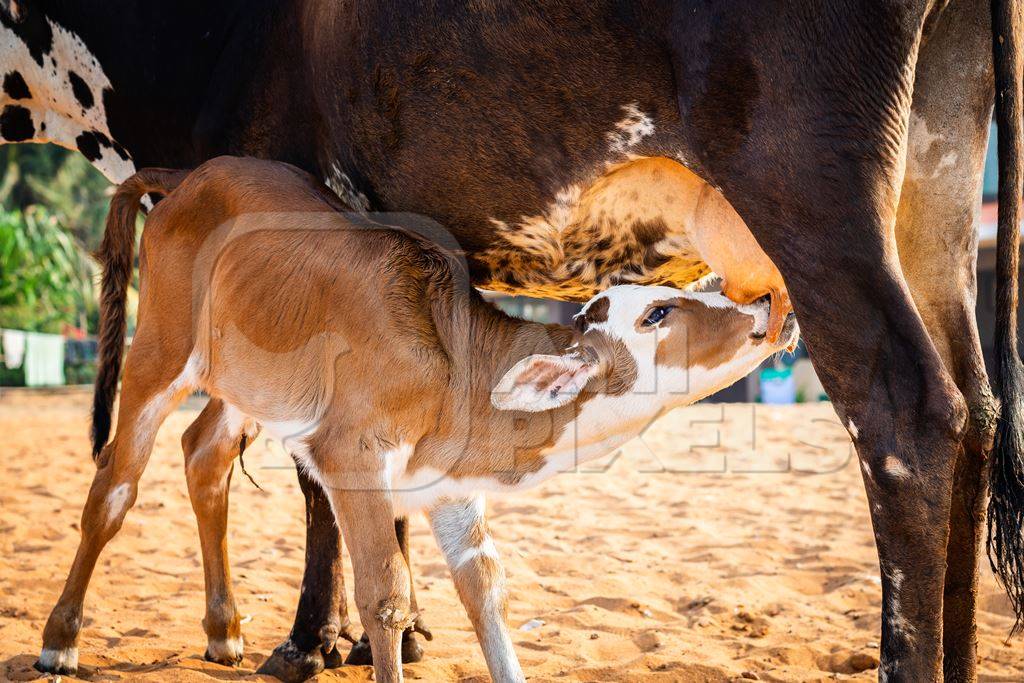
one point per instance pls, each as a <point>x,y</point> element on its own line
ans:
<point>850,138</point>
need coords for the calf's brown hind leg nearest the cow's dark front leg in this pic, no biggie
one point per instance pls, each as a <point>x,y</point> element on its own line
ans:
<point>211,444</point>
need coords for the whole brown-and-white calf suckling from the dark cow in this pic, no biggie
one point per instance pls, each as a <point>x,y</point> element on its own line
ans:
<point>363,349</point>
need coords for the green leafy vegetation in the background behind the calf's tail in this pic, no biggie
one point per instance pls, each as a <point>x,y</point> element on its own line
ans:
<point>53,208</point>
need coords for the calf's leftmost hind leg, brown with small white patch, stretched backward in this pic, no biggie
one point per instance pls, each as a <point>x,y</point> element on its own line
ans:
<point>148,397</point>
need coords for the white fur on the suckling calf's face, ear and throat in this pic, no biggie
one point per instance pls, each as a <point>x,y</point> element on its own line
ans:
<point>609,419</point>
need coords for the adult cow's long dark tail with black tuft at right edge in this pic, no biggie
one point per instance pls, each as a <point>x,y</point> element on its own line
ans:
<point>1006,507</point>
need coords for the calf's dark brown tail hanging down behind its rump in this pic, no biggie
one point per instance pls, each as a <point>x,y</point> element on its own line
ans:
<point>117,255</point>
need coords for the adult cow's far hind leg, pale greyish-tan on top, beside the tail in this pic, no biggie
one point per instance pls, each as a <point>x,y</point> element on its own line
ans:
<point>936,235</point>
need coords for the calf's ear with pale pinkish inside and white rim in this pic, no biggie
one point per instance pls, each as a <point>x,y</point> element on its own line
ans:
<point>542,382</point>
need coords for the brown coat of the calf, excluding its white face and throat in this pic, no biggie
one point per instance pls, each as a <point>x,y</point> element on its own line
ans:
<point>285,310</point>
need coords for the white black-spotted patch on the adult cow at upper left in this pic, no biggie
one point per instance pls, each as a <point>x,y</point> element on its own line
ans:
<point>59,98</point>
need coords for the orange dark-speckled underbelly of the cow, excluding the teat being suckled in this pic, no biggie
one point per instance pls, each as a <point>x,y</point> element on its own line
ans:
<point>630,223</point>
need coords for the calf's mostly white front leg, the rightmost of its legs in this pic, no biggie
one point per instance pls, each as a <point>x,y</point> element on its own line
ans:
<point>461,531</point>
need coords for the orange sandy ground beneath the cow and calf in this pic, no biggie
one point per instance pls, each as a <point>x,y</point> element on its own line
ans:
<point>726,543</point>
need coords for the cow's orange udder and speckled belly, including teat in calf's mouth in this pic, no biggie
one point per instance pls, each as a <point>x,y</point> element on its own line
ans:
<point>648,221</point>
